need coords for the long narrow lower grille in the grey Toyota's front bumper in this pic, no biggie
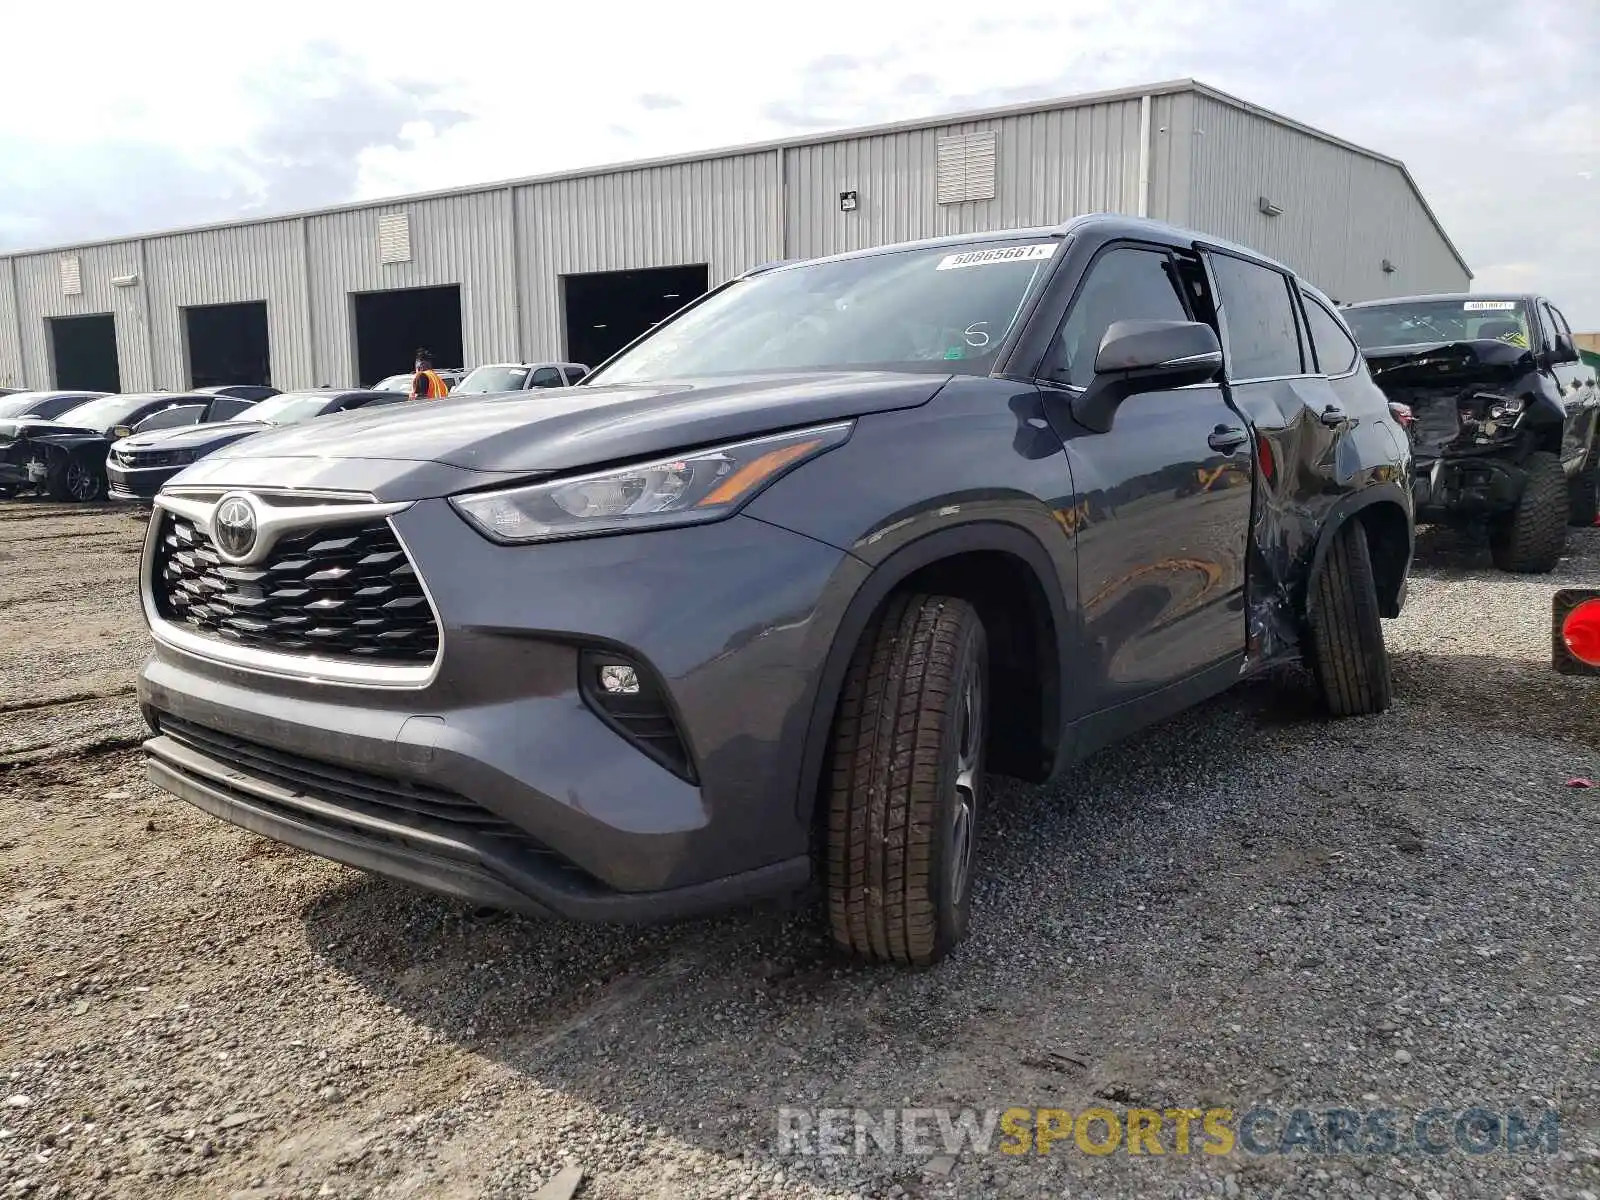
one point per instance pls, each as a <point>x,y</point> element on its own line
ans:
<point>382,796</point>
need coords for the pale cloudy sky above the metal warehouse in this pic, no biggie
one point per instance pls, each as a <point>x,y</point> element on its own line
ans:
<point>134,119</point>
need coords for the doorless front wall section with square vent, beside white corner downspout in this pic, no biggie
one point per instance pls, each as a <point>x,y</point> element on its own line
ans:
<point>1049,167</point>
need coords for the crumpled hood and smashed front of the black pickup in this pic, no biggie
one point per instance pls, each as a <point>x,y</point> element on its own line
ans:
<point>1450,390</point>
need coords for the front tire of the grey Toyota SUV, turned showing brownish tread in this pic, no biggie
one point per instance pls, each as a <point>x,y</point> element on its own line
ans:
<point>908,783</point>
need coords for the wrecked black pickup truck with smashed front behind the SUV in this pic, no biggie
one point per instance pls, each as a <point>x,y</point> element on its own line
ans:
<point>1502,414</point>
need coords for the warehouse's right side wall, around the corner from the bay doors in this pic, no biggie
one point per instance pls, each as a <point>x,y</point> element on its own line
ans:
<point>1343,212</point>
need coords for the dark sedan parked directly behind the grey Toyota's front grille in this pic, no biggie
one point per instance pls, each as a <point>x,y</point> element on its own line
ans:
<point>140,465</point>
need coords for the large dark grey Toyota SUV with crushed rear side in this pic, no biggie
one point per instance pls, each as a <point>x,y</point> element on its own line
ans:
<point>767,598</point>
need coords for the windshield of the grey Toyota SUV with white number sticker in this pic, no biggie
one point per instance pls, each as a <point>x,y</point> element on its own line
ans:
<point>930,310</point>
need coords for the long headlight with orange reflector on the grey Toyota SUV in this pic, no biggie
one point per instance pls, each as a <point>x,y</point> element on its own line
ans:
<point>703,486</point>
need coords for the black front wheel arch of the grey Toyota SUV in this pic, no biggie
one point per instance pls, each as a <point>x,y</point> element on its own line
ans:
<point>977,562</point>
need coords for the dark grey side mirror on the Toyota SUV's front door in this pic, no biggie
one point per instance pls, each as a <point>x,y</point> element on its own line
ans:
<point>1146,356</point>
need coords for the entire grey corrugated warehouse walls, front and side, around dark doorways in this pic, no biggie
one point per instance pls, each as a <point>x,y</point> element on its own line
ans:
<point>508,249</point>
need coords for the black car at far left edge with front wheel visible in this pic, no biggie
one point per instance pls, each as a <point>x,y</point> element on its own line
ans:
<point>66,458</point>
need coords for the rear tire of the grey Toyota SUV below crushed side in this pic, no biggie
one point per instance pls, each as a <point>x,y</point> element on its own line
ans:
<point>1348,654</point>
